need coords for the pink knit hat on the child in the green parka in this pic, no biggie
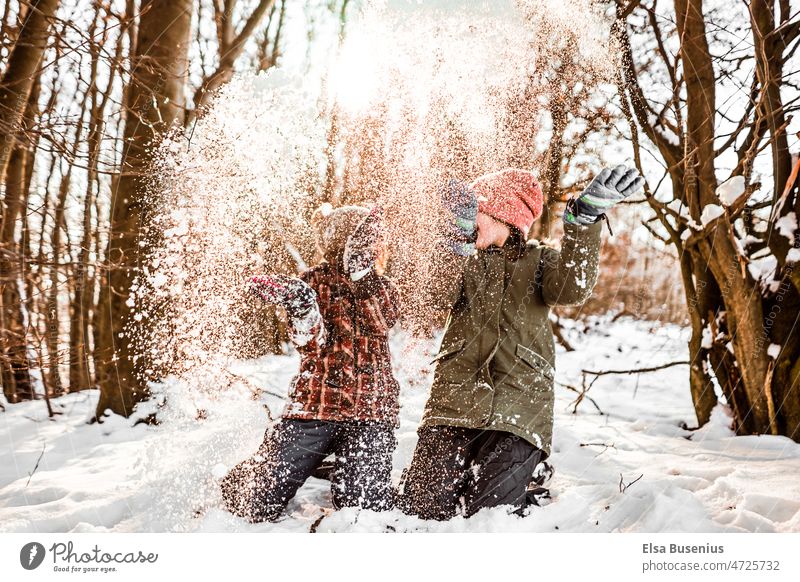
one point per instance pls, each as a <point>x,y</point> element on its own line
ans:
<point>512,196</point>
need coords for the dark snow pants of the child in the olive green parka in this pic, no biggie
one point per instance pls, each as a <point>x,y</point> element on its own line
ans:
<point>469,469</point>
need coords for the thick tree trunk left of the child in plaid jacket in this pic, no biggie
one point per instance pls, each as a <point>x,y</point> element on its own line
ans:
<point>155,102</point>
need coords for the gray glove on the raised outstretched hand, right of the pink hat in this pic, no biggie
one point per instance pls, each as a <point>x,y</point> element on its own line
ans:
<point>606,190</point>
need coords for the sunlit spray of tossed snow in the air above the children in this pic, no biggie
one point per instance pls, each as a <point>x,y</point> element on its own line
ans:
<point>411,99</point>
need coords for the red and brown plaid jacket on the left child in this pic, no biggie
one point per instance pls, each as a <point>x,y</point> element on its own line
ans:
<point>346,373</point>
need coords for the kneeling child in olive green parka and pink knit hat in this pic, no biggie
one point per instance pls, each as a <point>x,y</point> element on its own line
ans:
<point>488,421</point>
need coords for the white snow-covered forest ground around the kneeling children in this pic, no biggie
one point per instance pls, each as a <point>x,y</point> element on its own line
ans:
<point>118,477</point>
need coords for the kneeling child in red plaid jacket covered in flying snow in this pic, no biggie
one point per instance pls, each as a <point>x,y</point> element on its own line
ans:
<point>344,399</point>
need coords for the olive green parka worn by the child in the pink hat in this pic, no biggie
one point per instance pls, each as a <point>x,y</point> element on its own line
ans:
<point>495,369</point>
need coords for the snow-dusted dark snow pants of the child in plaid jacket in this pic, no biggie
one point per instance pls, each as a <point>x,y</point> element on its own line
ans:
<point>260,487</point>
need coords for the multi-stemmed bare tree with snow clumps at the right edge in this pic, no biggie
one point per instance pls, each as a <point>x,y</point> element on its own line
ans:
<point>744,318</point>
